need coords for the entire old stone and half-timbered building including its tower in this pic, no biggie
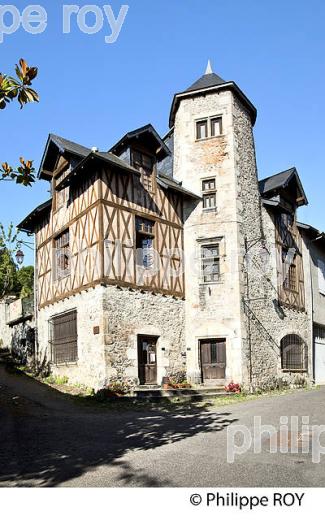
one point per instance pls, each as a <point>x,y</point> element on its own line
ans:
<point>166,255</point>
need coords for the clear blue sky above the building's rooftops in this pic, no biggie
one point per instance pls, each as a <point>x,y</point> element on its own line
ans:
<point>93,92</point>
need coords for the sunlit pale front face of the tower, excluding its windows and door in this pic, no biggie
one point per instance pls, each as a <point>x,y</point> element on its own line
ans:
<point>212,310</point>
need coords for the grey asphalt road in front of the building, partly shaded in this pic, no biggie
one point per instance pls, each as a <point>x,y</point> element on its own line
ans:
<point>45,440</point>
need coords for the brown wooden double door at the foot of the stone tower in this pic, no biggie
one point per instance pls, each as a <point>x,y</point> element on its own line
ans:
<point>213,359</point>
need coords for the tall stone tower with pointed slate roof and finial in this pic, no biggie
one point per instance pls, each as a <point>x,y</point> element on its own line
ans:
<point>214,155</point>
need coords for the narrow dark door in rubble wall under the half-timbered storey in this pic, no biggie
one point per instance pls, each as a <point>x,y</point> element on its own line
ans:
<point>147,356</point>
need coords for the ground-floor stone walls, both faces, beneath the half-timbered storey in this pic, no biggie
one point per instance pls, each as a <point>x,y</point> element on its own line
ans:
<point>121,315</point>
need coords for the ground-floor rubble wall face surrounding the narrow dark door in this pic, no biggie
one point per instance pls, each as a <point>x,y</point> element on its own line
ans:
<point>129,314</point>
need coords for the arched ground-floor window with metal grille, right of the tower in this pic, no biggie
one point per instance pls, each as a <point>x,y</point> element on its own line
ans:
<point>293,353</point>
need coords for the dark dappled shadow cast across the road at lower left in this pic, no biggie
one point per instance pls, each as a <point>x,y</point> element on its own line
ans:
<point>44,446</point>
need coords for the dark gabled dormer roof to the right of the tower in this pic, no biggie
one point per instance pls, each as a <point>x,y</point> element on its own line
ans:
<point>281,181</point>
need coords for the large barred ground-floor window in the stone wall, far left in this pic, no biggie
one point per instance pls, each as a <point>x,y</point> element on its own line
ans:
<point>64,338</point>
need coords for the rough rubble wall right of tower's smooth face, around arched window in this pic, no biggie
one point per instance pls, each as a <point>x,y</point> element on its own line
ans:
<point>265,322</point>
